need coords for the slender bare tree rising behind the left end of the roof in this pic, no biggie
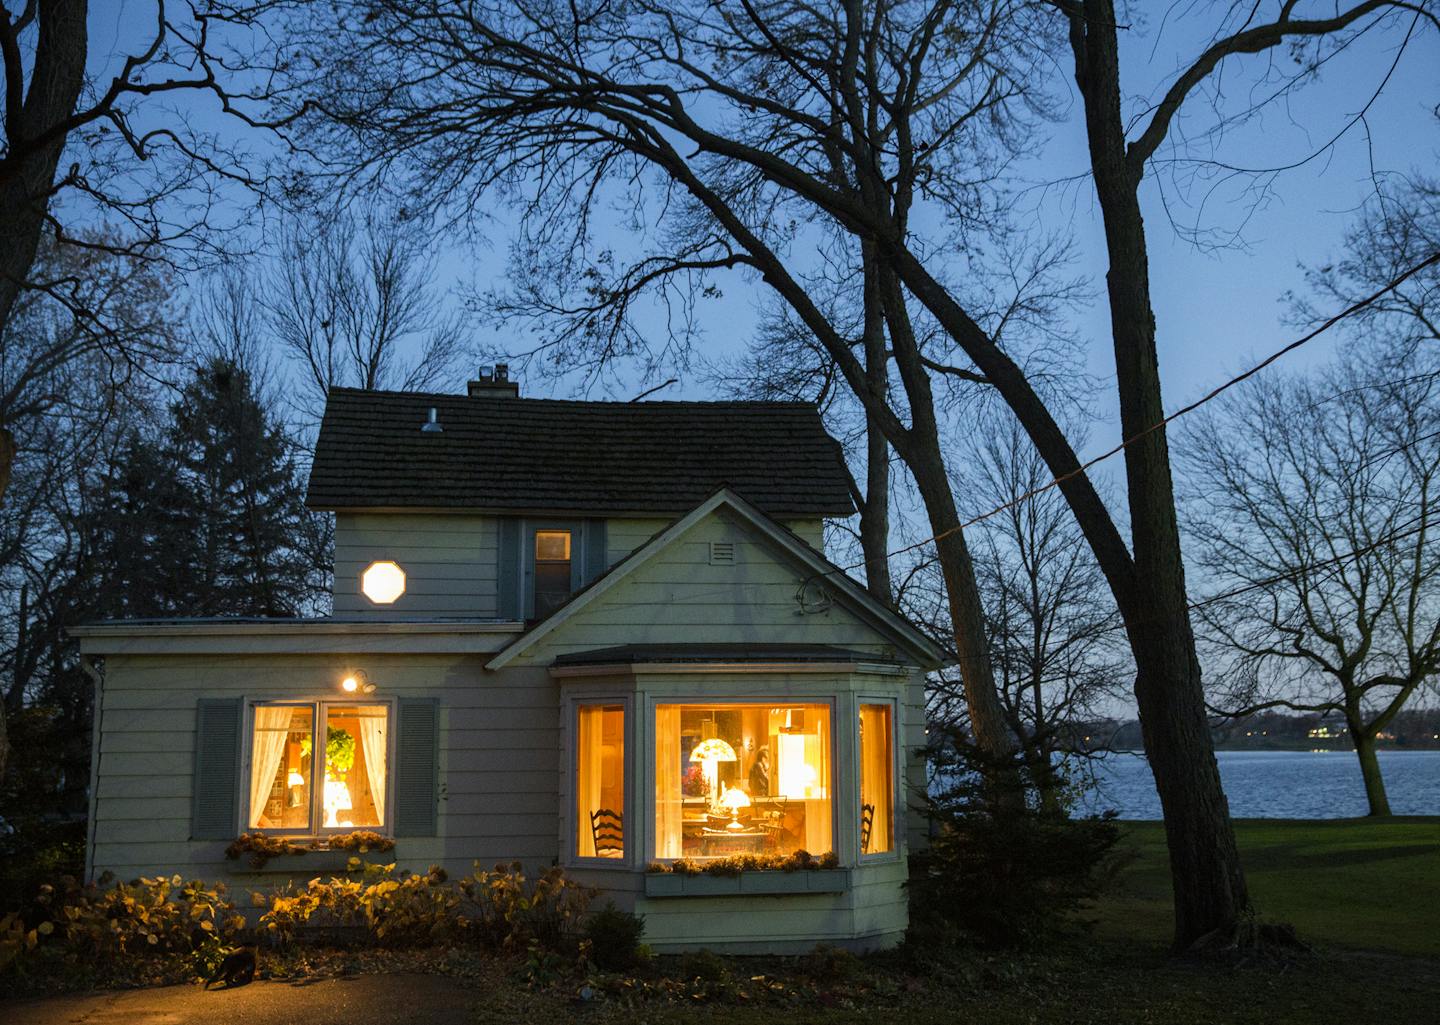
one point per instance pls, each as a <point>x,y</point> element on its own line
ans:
<point>355,304</point>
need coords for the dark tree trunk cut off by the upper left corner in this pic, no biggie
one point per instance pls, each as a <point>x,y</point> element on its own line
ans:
<point>28,171</point>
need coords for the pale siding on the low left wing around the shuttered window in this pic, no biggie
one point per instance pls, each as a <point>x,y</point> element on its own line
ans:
<point>498,742</point>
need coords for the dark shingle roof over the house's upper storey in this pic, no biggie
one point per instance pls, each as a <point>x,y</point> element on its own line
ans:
<point>575,457</point>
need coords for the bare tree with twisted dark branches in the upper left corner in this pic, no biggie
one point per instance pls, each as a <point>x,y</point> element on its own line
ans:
<point>81,149</point>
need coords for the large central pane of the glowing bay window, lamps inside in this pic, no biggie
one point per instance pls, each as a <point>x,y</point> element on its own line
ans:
<point>742,780</point>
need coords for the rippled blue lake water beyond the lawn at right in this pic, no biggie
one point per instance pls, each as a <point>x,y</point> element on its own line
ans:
<point>1281,785</point>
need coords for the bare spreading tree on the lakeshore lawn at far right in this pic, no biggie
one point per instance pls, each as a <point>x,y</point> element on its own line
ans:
<point>1314,513</point>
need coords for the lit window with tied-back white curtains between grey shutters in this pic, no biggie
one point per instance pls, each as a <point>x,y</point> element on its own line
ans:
<point>319,767</point>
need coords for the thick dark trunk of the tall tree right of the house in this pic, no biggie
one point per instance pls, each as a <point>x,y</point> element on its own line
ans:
<point>1207,877</point>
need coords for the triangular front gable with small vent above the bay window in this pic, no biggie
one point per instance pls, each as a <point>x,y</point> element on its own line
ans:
<point>778,592</point>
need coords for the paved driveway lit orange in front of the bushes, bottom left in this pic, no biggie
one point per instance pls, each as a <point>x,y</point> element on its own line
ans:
<point>364,1000</point>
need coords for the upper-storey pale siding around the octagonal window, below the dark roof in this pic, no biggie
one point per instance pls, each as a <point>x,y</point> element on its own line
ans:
<point>451,562</point>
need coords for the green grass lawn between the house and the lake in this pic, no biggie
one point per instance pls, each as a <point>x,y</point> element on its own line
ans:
<point>1359,885</point>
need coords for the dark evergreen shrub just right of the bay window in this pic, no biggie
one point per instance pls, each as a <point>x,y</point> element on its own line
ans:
<point>1016,877</point>
